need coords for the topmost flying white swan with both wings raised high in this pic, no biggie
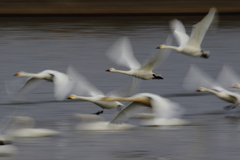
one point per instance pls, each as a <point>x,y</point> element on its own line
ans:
<point>191,45</point>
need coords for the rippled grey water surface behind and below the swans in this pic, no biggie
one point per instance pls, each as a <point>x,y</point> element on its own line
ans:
<point>33,44</point>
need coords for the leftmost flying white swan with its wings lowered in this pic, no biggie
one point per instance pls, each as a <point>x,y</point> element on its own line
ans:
<point>62,83</point>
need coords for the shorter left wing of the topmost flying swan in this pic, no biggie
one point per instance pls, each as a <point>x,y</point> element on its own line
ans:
<point>179,32</point>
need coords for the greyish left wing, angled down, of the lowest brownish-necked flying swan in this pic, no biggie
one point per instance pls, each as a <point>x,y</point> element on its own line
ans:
<point>127,112</point>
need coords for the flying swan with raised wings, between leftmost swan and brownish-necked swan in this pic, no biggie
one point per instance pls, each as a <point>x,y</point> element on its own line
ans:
<point>83,87</point>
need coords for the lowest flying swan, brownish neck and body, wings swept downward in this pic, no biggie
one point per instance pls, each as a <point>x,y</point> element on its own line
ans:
<point>164,110</point>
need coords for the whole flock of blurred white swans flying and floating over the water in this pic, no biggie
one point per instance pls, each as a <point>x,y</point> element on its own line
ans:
<point>73,85</point>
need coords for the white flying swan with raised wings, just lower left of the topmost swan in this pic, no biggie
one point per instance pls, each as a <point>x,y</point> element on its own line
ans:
<point>121,52</point>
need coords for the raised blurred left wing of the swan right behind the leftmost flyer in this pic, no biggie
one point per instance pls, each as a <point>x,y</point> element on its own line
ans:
<point>81,85</point>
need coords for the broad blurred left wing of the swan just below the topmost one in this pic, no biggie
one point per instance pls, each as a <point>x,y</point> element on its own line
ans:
<point>121,53</point>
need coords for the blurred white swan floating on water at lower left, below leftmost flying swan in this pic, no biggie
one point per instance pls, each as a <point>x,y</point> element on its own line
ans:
<point>23,127</point>
